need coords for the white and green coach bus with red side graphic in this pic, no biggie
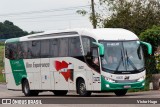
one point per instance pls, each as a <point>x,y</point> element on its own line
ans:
<point>82,60</point>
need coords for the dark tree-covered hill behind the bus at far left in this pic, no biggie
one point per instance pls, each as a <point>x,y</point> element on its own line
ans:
<point>9,30</point>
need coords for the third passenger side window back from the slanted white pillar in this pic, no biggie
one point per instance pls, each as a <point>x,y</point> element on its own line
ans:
<point>54,47</point>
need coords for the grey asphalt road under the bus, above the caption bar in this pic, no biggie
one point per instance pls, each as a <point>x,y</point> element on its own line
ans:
<point>4,93</point>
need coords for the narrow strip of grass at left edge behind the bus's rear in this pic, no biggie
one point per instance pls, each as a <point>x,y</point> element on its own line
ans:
<point>2,79</point>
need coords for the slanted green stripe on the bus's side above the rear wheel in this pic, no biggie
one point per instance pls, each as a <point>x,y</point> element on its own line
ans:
<point>18,70</point>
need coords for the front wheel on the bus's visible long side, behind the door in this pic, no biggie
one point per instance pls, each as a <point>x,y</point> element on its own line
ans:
<point>81,88</point>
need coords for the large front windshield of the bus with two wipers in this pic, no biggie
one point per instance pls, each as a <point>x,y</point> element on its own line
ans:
<point>122,56</point>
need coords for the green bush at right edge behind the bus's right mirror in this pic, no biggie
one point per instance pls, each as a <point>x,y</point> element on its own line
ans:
<point>151,36</point>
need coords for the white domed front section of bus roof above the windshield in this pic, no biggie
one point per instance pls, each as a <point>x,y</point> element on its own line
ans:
<point>112,34</point>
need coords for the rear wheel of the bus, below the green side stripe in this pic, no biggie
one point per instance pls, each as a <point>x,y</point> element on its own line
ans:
<point>26,89</point>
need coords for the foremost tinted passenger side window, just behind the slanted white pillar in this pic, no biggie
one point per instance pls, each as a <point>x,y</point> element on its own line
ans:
<point>74,47</point>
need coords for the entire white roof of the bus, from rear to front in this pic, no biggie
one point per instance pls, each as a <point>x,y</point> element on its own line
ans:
<point>112,34</point>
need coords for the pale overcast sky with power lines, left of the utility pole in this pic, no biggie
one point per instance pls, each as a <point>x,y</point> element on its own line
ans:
<point>43,15</point>
